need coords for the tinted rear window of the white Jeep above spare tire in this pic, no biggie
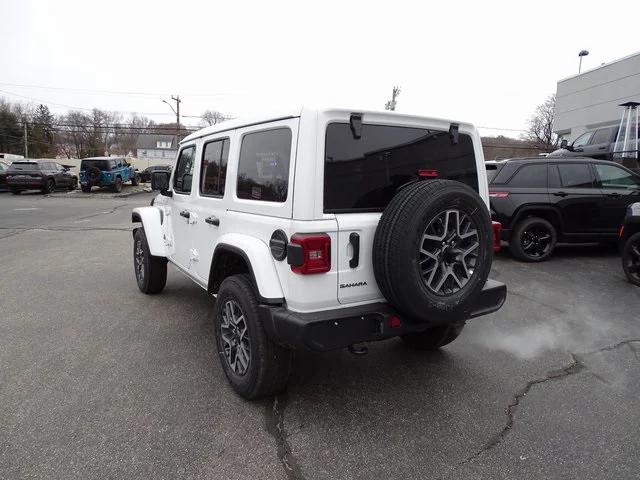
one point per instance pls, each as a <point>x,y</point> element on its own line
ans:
<point>364,174</point>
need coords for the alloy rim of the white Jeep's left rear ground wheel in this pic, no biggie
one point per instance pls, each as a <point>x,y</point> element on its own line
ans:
<point>235,338</point>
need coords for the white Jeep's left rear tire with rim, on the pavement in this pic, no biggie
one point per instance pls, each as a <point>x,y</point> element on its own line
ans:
<point>254,365</point>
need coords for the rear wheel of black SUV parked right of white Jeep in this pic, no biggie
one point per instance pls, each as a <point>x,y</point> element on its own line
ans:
<point>533,240</point>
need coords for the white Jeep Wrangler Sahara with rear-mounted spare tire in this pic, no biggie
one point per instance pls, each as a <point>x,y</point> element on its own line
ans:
<point>324,229</point>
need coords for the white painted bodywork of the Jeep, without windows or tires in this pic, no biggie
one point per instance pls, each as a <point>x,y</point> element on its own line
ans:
<point>248,224</point>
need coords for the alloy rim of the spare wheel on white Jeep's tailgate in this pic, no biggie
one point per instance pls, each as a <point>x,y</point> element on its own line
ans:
<point>449,252</point>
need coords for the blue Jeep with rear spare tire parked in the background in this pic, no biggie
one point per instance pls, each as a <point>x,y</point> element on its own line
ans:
<point>106,172</point>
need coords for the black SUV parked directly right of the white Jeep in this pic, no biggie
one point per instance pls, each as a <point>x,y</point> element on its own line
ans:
<point>541,201</point>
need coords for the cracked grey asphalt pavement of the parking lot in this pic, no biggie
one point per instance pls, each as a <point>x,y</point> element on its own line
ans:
<point>100,381</point>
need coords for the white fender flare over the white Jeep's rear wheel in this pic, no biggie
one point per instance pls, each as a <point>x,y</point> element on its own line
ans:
<point>260,262</point>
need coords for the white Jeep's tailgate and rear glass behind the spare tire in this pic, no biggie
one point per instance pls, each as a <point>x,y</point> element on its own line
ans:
<point>361,176</point>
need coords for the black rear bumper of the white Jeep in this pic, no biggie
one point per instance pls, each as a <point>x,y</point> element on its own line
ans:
<point>334,329</point>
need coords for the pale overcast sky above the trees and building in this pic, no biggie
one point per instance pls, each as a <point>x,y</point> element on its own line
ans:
<point>488,62</point>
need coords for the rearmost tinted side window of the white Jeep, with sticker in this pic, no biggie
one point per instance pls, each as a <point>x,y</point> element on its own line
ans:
<point>263,168</point>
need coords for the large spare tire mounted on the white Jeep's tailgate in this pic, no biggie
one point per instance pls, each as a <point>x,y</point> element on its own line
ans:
<point>432,250</point>
